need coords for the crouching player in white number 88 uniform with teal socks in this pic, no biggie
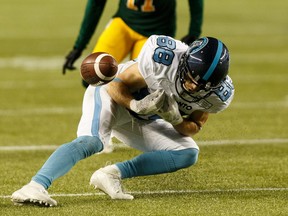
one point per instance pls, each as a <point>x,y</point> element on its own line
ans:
<point>155,104</point>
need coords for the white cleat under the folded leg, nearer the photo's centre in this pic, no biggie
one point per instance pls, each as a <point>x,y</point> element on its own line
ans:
<point>108,180</point>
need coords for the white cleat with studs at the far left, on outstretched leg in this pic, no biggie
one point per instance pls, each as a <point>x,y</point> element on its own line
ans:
<point>33,193</point>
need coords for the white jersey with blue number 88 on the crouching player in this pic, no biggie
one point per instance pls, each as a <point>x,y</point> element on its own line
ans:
<point>158,63</point>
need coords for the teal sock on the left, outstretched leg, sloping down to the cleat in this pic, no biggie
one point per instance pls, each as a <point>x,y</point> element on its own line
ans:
<point>65,157</point>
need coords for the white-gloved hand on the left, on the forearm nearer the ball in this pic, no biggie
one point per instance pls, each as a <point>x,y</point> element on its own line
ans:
<point>149,104</point>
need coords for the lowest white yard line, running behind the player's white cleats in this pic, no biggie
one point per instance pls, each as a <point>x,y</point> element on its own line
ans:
<point>233,190</point>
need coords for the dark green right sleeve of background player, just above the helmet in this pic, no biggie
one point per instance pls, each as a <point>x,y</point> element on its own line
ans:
<point>196,17</point>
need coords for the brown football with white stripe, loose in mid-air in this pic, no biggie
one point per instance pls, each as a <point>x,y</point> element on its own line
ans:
<point>98,68</point>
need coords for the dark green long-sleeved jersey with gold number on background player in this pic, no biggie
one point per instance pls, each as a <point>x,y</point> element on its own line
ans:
<point>146,17</point>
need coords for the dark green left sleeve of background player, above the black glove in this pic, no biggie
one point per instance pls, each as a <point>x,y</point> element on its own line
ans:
<point>93,12</point>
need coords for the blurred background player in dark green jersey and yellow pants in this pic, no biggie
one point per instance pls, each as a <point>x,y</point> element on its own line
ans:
<point>130,26</point>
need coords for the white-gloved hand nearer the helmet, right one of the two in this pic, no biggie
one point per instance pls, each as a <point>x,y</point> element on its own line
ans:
<point>170,111</point>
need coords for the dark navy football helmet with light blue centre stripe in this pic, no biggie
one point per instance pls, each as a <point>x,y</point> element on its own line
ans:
<point>207,62</point>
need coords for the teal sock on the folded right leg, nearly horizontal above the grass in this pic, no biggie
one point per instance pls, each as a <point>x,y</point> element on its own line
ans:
<point>157,162</point>
